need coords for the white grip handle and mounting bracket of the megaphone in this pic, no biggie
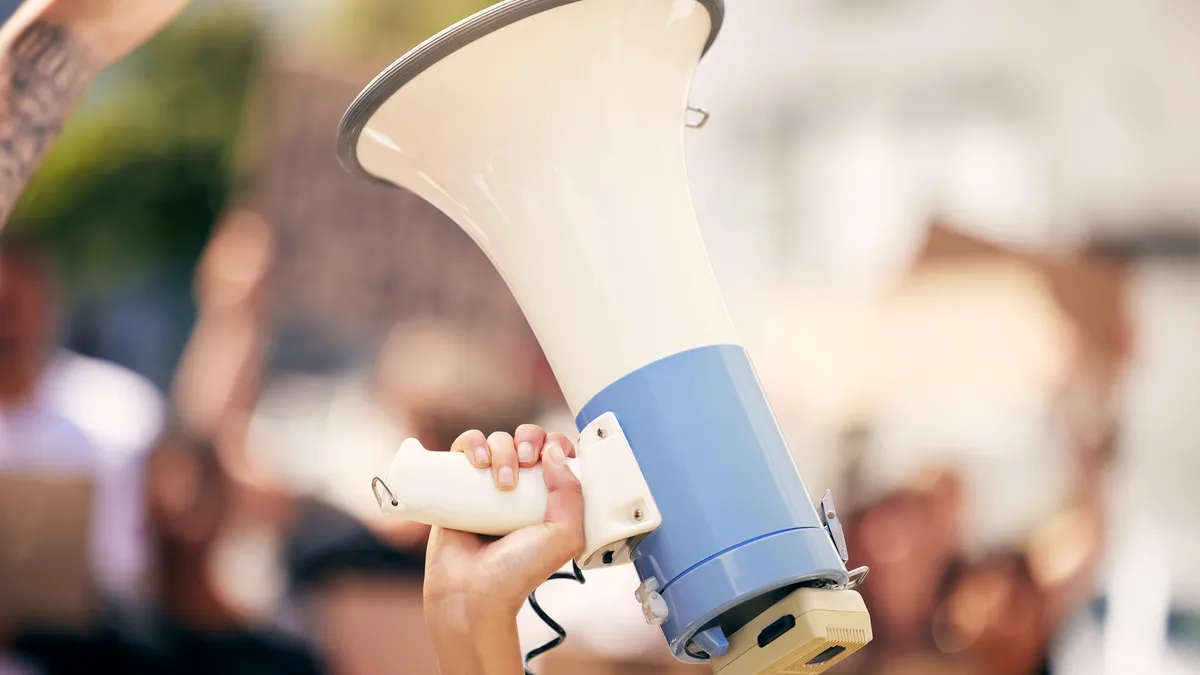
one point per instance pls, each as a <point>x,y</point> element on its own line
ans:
<point>447,491</point>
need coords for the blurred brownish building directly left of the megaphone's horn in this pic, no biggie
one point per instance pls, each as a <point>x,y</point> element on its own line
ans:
<point>355,258</point>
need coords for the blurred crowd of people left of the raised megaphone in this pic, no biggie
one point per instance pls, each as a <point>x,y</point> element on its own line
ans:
<point>229,527</point>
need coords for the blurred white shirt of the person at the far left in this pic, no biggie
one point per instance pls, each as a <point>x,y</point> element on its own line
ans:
<point>97,420</point>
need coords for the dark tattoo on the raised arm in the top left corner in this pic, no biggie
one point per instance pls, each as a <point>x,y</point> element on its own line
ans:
<point>44,73</point>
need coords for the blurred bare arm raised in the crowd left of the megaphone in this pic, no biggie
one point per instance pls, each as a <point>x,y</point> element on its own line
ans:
<point>214,389</point>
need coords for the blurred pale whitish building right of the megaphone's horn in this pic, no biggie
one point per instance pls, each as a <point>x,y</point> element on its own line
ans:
<point>841,129</point>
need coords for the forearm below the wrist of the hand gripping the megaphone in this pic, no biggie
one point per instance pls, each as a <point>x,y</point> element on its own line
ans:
<point>473,642</point>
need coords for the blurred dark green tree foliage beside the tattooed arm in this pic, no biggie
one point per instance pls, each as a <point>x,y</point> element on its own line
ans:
<point>146,166</point>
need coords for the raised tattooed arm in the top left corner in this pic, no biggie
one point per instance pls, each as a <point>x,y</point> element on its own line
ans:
<point>50,53</point>
